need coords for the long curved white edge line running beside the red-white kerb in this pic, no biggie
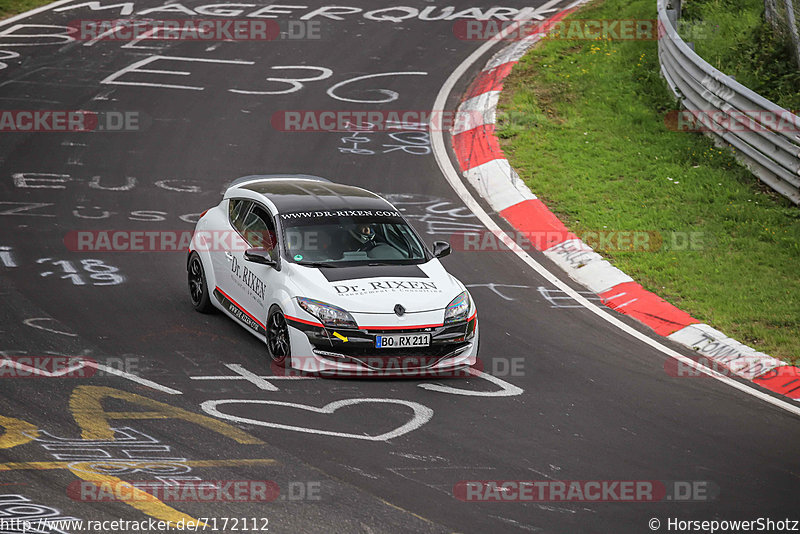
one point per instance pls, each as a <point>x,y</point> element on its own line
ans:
<point>453,178</point>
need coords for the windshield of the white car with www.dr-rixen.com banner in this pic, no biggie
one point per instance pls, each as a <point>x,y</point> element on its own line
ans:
<point>357,237</point>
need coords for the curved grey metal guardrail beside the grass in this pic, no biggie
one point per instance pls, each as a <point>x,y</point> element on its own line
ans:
<point>770,152</point>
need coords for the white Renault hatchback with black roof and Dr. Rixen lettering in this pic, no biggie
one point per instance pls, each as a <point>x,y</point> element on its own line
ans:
<point>332,278</point>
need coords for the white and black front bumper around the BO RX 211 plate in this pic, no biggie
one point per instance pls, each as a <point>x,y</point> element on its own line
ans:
<point>316,349</point>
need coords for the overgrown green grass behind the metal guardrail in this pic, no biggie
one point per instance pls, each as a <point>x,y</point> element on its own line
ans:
<point>733,36</point>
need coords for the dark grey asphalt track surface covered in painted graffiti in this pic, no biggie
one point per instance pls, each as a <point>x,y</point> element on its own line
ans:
<point>595,403</point>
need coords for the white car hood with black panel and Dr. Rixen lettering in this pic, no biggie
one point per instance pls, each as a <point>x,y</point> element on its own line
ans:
<point>377,289</point>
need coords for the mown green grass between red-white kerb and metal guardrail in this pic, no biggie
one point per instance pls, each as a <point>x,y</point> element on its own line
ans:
<point>583,124</point>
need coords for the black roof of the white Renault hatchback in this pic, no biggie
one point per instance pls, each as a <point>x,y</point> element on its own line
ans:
<point>290,193</point>
